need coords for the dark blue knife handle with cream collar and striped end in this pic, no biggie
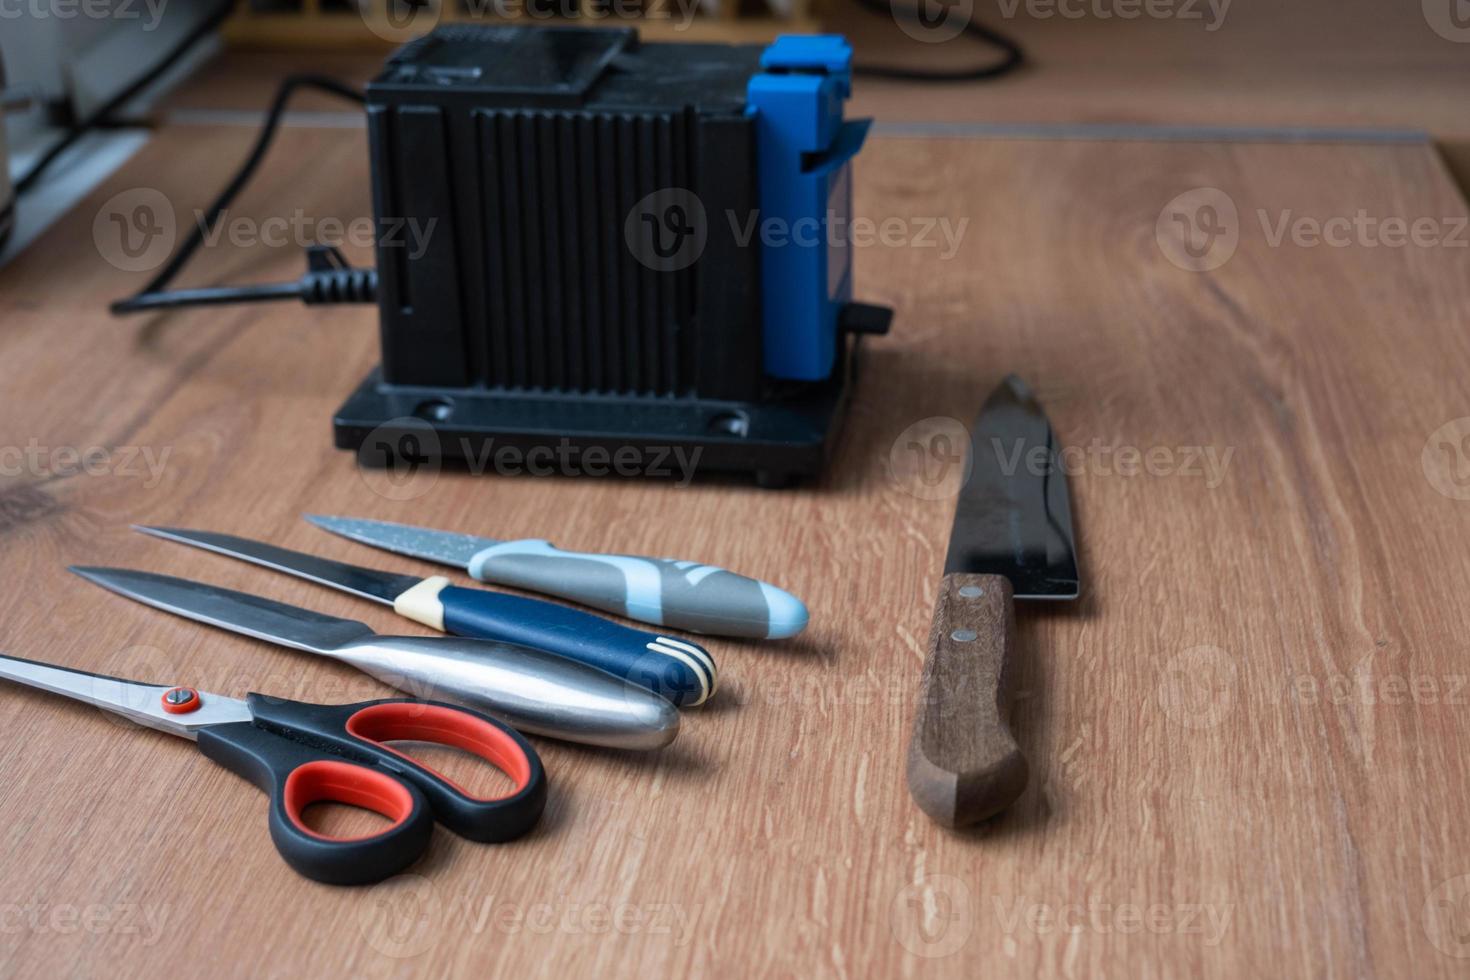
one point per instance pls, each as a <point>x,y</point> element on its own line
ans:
<point>677,669</point>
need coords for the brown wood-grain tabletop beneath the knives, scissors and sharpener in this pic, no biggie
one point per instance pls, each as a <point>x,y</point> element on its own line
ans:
<point>1247,740</point>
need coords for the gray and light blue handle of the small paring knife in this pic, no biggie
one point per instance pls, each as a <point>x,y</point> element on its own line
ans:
<point>661,591</point>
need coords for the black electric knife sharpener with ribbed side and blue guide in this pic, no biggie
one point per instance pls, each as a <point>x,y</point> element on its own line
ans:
<point>625,248</point>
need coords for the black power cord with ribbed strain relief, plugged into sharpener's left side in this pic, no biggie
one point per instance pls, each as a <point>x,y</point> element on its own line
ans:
<point>329,277</point>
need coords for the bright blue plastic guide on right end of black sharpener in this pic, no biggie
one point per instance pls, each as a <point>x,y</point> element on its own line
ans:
<point>805,152</point>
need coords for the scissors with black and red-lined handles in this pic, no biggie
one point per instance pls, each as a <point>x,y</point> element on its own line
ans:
<point>304,754</point>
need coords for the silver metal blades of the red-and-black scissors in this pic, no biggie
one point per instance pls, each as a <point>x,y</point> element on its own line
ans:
<point>135,702</point>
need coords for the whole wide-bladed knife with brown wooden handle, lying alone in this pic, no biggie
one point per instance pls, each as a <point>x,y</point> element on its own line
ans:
<point>1012,540</point>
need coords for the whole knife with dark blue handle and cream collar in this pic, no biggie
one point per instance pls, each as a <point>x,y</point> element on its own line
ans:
<point>677,669</point>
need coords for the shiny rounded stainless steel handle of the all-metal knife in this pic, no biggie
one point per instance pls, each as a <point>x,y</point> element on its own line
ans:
<point>528,690</point>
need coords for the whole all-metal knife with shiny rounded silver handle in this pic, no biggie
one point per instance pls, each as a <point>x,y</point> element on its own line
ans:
<point>526,688</point>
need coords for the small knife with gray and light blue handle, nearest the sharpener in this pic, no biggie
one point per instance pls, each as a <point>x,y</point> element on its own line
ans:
<point>686,596</point>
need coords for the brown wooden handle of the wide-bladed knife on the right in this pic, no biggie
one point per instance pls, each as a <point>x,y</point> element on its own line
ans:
<point>964,763</point>
